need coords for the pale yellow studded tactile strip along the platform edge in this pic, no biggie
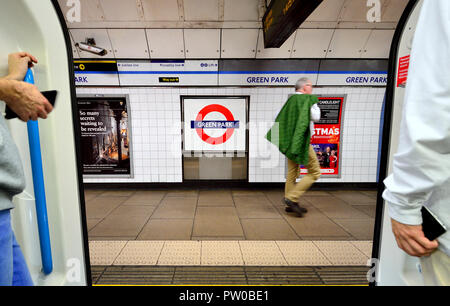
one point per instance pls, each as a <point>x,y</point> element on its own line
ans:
<point>230,253</point>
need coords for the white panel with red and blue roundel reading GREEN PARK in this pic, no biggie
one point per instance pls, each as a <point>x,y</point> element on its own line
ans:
<point>215,124</point>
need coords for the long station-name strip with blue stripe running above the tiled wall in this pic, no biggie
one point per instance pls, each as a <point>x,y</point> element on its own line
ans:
<point>257,73</point>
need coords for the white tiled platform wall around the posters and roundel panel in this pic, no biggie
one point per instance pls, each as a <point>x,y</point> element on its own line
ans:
<point>156,136</point>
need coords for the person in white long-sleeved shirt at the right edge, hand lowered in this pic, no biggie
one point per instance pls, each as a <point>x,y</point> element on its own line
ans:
<point>421,167</point>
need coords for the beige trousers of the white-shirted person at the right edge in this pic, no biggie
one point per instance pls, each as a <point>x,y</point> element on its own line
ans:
<point>436,269</point>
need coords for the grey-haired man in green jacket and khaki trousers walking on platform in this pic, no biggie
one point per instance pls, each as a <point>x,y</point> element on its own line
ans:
<point>295,125</point>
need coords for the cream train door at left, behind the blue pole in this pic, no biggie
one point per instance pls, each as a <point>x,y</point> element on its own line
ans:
<point>53,237</point>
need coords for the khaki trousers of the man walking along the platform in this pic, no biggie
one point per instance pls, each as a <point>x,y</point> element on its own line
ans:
<point>293,191</point>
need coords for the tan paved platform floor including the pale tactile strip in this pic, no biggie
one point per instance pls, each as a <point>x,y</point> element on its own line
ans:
<point>161,233</point>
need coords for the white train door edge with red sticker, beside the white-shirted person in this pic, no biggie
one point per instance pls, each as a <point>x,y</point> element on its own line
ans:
<point>390,265</point>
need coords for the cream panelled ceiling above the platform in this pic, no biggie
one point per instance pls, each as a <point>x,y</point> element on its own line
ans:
<point>229,29</point>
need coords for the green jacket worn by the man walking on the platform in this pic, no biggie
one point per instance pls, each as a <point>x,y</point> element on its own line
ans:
<point>292,125</point>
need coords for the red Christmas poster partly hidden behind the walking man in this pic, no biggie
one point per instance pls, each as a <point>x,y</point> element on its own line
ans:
<point>327,139</point>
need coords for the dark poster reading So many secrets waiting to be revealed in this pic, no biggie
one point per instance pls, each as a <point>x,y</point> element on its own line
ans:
<point>105,136</point>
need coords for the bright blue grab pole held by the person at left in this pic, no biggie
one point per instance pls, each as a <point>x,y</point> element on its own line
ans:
<point>39,189</point>
